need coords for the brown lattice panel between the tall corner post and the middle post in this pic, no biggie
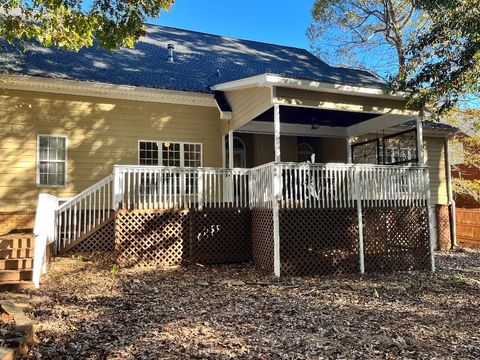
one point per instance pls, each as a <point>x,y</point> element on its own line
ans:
<point>318,241</point>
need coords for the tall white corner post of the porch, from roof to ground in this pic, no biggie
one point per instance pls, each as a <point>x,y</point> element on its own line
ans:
<point>277,183</point>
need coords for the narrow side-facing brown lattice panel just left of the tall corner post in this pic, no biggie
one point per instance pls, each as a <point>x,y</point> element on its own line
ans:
<point>262,238</point>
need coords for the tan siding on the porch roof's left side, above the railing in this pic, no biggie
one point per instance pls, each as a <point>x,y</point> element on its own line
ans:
<point>247,104</point>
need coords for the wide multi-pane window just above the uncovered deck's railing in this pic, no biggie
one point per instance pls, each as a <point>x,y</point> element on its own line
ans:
<point>166,153</point>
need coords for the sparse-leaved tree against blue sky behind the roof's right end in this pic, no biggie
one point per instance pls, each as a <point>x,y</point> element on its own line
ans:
<point>365,33</point>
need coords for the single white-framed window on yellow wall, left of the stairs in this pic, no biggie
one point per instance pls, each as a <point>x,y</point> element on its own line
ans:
<point>51,160</point>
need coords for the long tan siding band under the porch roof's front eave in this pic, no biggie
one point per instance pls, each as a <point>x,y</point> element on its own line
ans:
<point>286,96</point>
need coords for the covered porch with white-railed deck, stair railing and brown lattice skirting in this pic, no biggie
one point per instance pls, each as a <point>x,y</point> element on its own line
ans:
<point>357,202</point>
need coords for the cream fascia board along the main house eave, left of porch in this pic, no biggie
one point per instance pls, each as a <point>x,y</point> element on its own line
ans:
<point>110,91</point>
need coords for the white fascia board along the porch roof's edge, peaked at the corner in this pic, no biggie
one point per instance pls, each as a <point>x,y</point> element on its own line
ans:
<point>270,80</point>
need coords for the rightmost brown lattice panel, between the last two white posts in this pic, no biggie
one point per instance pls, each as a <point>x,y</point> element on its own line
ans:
<point>396,239</point>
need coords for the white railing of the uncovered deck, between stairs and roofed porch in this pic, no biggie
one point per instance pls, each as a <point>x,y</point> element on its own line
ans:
<point>158,187</point>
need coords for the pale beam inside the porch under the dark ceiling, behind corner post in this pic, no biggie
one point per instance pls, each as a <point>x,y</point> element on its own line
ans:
<point>263,127</point>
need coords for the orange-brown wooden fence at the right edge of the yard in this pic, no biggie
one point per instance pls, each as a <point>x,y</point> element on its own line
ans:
<point>468,227</point>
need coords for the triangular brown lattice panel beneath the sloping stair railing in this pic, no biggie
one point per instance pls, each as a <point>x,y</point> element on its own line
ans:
<point>102,239</point>
